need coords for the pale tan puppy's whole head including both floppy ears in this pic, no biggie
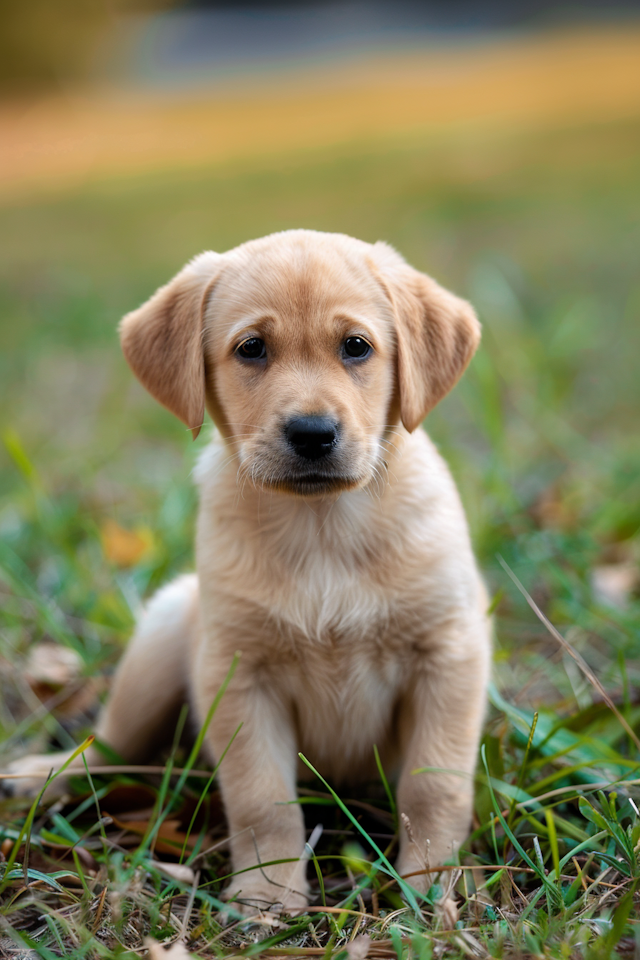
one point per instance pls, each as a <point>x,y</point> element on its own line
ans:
<point>307,349</point>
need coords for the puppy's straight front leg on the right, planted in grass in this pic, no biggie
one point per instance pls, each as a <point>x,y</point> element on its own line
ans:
<point>441,722</point>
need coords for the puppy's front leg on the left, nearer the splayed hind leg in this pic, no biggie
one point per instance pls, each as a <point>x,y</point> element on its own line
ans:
<point>257,780</point>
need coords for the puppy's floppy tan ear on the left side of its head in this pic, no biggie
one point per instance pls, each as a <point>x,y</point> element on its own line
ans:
<point>162,340</point>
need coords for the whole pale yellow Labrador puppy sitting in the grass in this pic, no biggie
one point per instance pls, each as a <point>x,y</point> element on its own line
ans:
<point>332,548</point>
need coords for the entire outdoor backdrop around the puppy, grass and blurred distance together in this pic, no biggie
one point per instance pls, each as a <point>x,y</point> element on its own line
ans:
<point>501,153</point>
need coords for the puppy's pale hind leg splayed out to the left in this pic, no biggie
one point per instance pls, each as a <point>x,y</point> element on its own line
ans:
<point>148,689</point>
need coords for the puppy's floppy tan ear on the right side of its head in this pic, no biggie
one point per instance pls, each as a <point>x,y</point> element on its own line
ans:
<point>437,334</point>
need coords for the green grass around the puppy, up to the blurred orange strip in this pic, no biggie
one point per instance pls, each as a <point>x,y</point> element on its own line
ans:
<point>540,231</point>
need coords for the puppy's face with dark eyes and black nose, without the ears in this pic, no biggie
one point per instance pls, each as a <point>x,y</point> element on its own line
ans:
<point>300,346</point>
